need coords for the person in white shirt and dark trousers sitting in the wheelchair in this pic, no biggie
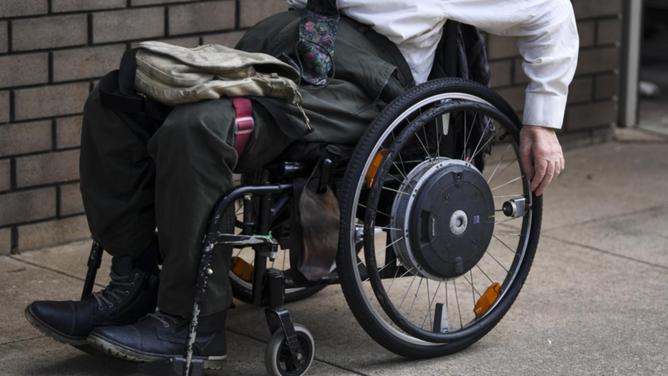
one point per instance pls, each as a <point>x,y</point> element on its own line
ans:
<point>140,172</point>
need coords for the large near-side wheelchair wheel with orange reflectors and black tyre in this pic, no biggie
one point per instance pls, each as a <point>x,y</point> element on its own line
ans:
<point>448,236</point>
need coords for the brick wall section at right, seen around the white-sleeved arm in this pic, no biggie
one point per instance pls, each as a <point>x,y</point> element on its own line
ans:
<point>592,108</point>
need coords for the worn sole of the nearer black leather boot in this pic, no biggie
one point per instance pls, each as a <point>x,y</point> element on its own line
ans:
<point>119,351</point>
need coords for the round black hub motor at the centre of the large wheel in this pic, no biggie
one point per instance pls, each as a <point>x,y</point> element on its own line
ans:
<point>444,218</point>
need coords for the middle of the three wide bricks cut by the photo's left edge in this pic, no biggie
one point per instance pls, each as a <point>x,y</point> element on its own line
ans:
<point>21,138</point>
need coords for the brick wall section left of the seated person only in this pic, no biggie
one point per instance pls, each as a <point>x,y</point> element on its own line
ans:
<point>51,54</point>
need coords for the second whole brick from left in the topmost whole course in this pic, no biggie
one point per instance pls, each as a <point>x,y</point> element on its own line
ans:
<point>128,24</point>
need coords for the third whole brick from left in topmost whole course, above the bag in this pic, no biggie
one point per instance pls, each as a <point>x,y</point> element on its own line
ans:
<point>200,17</point>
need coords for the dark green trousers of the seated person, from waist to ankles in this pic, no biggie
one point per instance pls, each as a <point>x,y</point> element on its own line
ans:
<point>136,177</point>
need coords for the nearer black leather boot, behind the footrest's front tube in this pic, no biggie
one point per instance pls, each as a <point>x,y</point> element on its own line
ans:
<point>160,336</point>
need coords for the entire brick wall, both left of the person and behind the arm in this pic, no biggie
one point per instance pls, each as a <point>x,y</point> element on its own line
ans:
<point>52,52</point>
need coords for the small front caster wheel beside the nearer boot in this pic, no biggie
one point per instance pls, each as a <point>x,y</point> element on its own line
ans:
<point>278,359</point>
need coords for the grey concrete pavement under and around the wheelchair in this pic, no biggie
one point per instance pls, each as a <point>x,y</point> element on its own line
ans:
<point>595,302</point>
